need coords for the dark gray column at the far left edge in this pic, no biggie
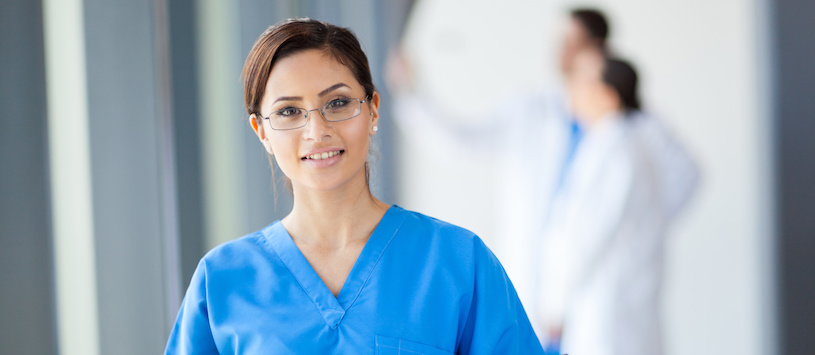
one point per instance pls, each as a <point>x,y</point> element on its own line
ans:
<point>26,288</point>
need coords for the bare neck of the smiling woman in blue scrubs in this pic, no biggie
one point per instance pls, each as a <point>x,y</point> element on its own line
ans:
<point>334,218</point>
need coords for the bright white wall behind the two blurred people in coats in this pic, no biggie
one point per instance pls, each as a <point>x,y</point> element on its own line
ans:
<point>699,71</point>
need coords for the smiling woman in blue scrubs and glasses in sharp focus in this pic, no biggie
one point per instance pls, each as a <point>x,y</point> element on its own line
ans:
<point>343,272</point>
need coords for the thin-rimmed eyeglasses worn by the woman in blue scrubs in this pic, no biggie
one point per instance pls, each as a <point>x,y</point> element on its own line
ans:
<point>334,111</point>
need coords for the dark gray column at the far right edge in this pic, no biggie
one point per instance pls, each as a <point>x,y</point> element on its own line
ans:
<point>794,73</point>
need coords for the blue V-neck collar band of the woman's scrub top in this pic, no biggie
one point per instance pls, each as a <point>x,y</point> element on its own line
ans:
<point>333,308</point>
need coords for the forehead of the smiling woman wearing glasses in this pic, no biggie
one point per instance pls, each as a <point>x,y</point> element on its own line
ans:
<point>307,73</point>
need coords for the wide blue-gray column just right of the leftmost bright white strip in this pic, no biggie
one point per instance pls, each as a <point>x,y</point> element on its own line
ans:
<point>130,147</point>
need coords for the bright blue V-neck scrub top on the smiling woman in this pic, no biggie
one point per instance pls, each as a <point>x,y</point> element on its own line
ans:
<point>419,286</point>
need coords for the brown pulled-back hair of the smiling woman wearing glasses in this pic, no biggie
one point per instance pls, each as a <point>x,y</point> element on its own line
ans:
<point>293,36</point>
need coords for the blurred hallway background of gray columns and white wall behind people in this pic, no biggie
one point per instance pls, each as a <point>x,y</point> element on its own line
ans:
<point>125,153</point>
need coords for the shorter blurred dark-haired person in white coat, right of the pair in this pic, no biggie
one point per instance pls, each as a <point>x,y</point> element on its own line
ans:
<point>602,245</point>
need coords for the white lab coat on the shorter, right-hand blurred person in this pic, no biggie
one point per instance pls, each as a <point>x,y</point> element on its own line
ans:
<point>602,247</point>
